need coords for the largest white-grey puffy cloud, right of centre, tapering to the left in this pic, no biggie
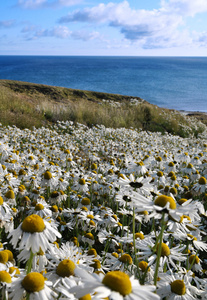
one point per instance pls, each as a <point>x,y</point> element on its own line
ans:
<point>133,24</point>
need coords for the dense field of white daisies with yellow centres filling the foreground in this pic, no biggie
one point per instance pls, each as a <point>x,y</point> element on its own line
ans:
<point>102,213</point>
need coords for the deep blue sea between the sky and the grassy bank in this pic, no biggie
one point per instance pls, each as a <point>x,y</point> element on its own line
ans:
<point>171,82</point>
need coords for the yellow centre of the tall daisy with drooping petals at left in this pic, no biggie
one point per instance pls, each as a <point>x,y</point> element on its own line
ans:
<point>33,223</point>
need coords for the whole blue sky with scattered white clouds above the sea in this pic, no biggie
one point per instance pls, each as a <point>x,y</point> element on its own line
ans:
<point>90,27</point>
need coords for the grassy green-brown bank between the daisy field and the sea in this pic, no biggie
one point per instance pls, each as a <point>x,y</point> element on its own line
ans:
<point>26,105</point>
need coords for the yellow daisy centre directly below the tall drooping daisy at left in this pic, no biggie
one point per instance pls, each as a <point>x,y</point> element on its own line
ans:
<point>33,282</point>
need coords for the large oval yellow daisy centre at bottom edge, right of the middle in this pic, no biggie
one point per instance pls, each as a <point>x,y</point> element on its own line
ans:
<point>118,281</point>
